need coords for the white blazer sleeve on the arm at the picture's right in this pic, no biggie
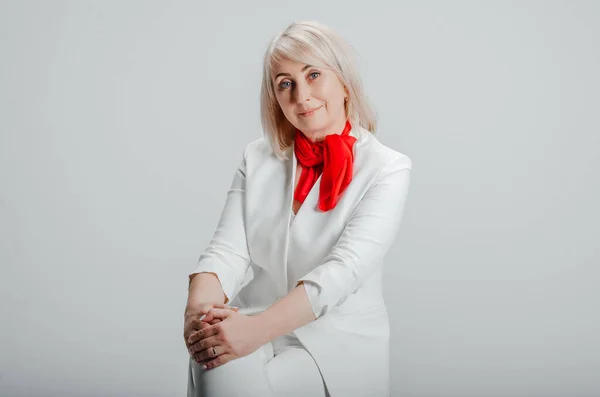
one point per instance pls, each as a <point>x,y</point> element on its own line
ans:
<point>367,237</point>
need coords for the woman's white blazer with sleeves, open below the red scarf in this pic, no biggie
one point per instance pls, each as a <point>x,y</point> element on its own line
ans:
<point>259,258</point>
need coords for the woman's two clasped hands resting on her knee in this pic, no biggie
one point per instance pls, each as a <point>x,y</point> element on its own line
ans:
<point>217,333</point>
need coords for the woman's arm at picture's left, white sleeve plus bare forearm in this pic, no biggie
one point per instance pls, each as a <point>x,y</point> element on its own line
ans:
<point>222,266</point>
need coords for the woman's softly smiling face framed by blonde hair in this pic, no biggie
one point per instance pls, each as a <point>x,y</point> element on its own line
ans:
<point>311,98</point>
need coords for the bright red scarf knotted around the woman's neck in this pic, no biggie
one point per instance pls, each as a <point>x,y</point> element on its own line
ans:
<point>332,157</point>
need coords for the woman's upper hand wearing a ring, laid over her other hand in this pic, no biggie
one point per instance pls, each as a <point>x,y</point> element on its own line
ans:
<point>236,336</point>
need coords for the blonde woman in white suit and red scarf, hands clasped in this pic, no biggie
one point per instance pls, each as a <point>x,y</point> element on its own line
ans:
<point>311,212</point>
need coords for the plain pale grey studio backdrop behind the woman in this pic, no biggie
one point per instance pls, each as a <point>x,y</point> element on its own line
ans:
<point>122,123</point>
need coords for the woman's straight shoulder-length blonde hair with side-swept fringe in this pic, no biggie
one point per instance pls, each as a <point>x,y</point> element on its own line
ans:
<point>316,44</point>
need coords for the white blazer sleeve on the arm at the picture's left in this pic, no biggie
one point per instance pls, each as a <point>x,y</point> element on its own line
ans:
<point>227,253</point>
